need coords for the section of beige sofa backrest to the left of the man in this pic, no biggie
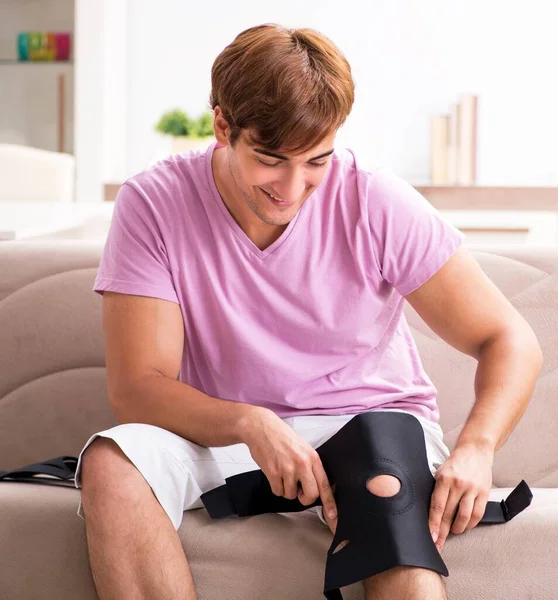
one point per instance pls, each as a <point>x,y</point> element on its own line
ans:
<point>52,374</point>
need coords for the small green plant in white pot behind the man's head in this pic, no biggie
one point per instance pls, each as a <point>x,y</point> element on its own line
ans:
<point>187,133</point>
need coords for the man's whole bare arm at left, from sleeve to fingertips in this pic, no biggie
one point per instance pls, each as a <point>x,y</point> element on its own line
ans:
<point>144,343</point>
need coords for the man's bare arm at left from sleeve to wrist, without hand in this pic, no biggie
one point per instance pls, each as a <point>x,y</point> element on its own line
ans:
<point>144,340</point>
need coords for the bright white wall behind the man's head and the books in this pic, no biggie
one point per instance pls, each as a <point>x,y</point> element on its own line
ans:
<point>410,60</point>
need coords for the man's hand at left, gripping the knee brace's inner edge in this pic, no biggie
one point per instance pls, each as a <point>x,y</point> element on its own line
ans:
<point>286,459</point>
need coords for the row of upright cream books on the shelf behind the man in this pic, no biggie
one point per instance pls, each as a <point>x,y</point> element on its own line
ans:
<point>453,152</point>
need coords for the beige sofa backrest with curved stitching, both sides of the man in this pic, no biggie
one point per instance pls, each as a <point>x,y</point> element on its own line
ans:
<point>52,376</point>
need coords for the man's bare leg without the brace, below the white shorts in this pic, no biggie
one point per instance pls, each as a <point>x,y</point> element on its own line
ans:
<point>134,549</point>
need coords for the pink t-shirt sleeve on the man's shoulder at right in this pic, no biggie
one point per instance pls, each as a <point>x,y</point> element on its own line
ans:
<point>411,239</point>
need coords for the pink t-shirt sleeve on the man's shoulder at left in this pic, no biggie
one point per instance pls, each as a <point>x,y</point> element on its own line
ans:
<point>134,259</point>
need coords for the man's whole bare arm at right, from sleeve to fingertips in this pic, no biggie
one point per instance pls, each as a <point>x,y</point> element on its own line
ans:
<point>466,309</point>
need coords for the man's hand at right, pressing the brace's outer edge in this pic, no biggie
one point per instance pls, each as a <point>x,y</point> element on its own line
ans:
<point>463,483</point>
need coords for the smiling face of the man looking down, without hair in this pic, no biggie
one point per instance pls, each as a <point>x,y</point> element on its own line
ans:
<point>259,174</point>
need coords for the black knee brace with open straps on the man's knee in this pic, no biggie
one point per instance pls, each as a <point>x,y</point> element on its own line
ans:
<point>383,532</point>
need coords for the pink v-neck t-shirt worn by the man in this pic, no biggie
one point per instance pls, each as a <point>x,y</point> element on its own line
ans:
<point>313,324</point>
